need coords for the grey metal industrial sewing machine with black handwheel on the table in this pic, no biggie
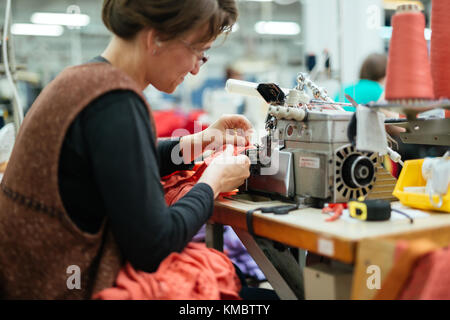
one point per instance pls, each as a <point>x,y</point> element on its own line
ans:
<point>306,155</point>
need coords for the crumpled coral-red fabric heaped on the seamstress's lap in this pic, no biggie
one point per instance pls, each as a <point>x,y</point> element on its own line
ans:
<point>197,273</point>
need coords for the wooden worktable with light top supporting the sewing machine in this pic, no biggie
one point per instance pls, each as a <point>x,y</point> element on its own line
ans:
<point>343,241</point>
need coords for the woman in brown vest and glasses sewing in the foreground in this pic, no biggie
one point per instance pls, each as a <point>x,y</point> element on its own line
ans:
<point>82,190</point>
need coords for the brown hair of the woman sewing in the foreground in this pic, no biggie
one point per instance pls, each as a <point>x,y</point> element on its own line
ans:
<point>171,19</point>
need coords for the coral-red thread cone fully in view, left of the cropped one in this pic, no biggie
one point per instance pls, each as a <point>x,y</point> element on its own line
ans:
<point>408,75</point>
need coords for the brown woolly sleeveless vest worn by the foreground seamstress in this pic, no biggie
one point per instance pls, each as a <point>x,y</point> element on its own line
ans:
<point>41,249</point>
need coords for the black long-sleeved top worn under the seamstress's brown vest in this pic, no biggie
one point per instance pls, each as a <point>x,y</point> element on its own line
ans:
<point>110,167</point>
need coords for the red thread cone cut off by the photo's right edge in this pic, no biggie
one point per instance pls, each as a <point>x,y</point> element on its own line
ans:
<point>440,49</point>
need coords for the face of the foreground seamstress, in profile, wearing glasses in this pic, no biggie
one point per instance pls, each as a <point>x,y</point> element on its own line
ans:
<point>174,59</point>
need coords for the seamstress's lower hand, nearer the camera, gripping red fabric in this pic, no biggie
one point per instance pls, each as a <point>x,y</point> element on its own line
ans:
<point>226,172</point>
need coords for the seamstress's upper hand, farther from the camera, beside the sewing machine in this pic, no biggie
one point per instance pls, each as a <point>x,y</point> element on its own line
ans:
<point>228,129</point>
